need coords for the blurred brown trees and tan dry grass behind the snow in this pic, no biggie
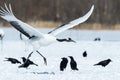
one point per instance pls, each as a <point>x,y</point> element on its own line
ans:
<point>53,13</point>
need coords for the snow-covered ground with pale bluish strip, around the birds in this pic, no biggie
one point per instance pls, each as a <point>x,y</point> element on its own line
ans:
<point>108,47</point>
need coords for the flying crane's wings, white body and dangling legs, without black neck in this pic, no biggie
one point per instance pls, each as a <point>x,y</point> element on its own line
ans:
<point>36,38</point>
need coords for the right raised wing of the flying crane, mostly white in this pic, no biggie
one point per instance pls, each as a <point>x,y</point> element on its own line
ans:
<point>72,23</point>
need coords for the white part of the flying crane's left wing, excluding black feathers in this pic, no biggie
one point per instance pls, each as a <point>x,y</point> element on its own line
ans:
<point>7,14</point>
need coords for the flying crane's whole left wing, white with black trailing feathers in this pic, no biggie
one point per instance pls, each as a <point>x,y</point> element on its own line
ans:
<point>7,14</point>
